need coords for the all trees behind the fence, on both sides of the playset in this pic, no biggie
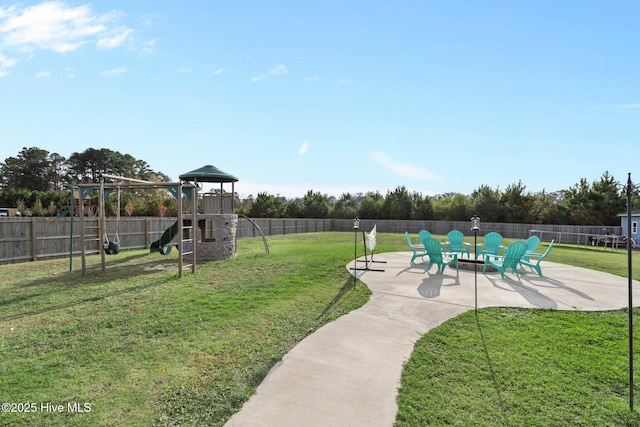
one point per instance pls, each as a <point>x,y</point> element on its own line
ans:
<point>35,182</point>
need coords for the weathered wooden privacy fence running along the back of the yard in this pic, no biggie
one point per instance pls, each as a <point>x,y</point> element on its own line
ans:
<point>29,239</point>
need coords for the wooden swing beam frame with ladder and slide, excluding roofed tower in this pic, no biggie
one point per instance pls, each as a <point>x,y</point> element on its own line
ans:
<point>179,190</point>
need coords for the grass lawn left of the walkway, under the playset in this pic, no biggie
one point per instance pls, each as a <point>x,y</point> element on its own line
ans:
<point>142,347</point>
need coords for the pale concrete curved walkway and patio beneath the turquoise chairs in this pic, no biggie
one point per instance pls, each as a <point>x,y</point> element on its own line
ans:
<point>347,373</point>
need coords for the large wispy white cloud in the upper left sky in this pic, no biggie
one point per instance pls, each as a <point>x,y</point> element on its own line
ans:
<point>59,27</point>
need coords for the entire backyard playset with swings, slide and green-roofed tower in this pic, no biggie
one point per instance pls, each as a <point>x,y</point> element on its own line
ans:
<point>205,235</point>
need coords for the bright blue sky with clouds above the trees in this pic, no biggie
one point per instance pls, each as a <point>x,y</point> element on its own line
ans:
<point>332,96</point>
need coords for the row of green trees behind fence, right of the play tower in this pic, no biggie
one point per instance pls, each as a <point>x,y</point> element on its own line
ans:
<point>597,203</point>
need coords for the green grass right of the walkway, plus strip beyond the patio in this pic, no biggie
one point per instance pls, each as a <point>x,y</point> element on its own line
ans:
<point>527,367</point>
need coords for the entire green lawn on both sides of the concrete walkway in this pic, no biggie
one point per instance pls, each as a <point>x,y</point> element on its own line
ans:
<point>142,347</point>
